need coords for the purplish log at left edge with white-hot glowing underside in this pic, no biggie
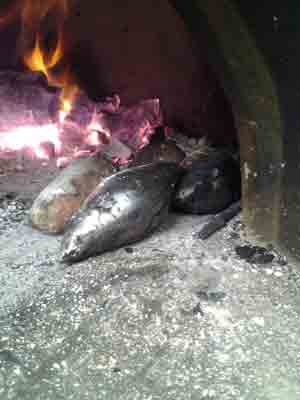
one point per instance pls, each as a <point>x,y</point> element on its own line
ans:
<point>28,112</point>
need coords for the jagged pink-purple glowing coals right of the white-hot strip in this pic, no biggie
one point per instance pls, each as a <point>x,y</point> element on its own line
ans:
<point>98,123</point>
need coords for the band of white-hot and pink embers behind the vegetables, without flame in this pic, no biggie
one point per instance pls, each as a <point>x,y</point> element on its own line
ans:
<point>119,134</point>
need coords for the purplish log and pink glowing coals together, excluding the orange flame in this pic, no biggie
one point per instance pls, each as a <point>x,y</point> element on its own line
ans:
<point>31,115</point>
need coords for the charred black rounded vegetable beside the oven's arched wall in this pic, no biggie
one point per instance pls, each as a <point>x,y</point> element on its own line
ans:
<point>210,184</point>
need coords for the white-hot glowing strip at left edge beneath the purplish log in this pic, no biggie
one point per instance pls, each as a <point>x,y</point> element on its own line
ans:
<point>31,137</point>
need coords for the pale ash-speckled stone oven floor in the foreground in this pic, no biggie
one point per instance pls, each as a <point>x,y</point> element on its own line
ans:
<point>171,317</point>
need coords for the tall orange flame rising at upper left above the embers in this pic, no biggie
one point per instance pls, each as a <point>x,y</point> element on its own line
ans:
<point>35,16</point>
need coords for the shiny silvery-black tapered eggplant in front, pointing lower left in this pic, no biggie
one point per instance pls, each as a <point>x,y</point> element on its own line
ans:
<point>125,208</point>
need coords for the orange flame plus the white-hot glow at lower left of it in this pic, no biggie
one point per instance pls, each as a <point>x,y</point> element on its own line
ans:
<point>44,48</point>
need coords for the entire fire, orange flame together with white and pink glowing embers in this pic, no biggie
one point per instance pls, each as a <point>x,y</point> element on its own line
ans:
<point>45,48</point>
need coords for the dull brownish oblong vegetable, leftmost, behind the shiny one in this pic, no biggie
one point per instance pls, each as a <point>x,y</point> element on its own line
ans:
<point>60,199</point>
